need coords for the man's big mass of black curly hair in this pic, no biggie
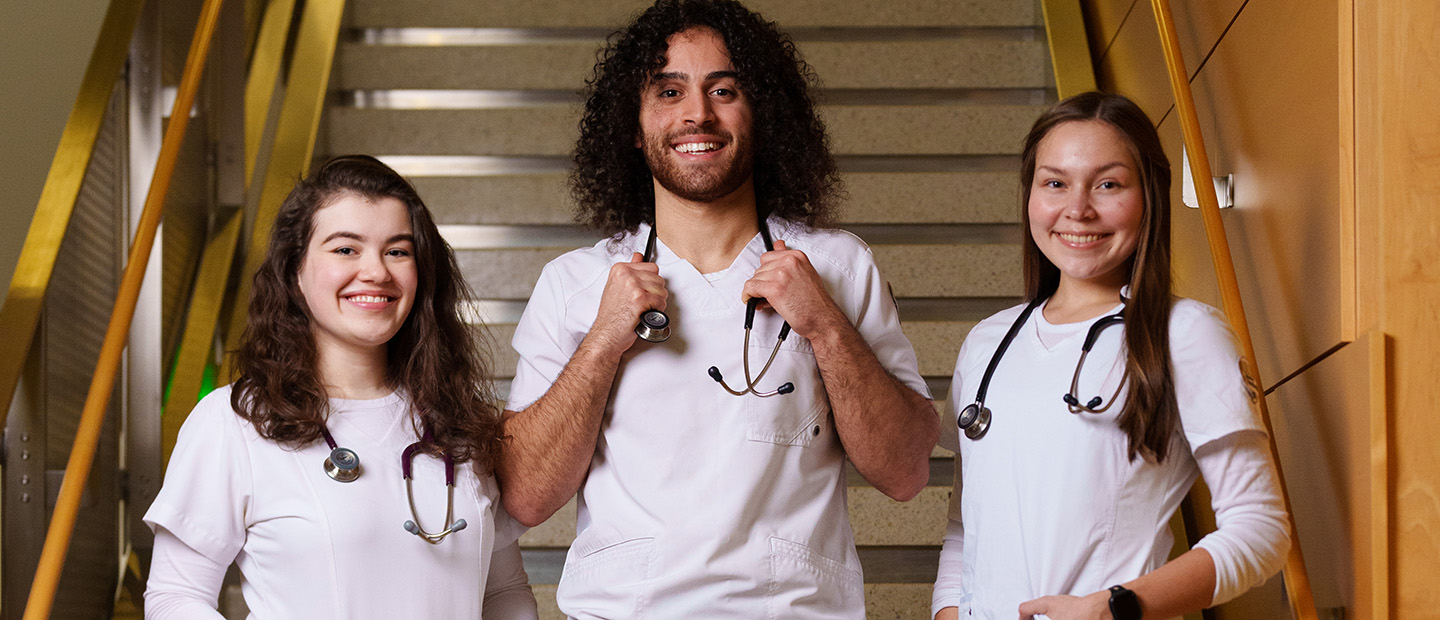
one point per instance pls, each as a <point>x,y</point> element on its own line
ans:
<point>796,176</point>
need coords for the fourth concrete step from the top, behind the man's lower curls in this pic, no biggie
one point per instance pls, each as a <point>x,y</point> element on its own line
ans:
<point>873,198</point>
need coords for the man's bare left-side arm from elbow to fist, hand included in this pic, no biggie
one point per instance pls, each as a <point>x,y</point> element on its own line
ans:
<point>549,444</point>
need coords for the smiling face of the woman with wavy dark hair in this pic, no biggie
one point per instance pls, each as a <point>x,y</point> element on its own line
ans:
<point>359,274</point>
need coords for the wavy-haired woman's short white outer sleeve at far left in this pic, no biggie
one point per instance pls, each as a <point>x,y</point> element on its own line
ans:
<point>208,487</point>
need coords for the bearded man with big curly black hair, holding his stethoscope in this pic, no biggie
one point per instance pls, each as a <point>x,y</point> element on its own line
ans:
<point>693,501</point>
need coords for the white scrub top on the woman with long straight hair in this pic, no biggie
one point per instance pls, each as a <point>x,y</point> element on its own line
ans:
<point>1050,501</point>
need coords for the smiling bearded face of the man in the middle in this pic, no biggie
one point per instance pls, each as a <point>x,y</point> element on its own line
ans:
<point>696,122</point>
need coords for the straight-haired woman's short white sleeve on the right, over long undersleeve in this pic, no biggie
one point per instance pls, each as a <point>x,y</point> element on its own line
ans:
<point>1213,389</point>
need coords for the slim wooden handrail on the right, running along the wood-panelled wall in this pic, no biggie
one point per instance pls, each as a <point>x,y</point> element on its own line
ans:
<point>1297,579</point>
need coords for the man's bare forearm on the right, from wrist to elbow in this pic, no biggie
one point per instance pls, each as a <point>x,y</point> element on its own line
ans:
<point>888,428</point>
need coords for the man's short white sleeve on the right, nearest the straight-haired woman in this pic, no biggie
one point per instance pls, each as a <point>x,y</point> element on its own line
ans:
<point>878,320</point>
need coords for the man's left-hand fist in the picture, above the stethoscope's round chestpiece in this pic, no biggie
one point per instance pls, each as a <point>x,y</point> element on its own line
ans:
<point>631,290</point>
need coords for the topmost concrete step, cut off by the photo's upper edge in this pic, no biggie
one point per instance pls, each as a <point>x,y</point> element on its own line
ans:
<point>613,14</point>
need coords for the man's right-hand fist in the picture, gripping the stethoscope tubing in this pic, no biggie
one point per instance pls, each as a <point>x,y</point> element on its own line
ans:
<point>790,284</point>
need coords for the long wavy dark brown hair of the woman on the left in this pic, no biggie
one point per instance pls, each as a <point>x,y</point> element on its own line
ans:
<point>436,359</point>
